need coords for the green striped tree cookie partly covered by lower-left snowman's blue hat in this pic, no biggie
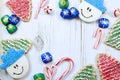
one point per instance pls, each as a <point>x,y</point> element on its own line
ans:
<point>16,44</point>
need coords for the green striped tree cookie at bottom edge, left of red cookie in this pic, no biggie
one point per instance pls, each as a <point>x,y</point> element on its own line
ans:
<point>87,73</point>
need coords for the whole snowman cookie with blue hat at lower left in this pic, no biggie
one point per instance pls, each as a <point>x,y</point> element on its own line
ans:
<point>15,63</point>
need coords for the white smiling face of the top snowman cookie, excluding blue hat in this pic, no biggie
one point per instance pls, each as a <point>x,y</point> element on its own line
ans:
<point>88,13</point>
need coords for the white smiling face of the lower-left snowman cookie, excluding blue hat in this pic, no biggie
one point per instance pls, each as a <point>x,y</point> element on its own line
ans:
<point>19,68</point>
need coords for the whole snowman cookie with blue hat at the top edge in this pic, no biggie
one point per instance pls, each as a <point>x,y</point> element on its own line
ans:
<point>91,10</point>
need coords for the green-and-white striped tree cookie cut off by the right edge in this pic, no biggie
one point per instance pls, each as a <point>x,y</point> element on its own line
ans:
<point>113,38</point>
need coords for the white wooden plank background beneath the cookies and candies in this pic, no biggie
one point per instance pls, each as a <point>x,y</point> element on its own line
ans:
<point>62,38</point>
